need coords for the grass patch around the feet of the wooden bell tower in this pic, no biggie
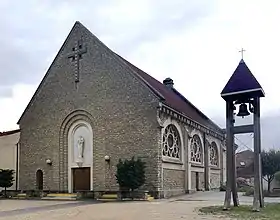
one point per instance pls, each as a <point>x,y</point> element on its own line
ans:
<point>271,212</point>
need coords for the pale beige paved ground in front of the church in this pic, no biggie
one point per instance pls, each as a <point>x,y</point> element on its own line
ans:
<point>184,207</point>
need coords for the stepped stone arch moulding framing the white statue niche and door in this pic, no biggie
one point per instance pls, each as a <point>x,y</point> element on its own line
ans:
<point>74,119</point>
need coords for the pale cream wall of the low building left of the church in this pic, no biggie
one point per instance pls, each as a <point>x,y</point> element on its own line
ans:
<point>8,154</point>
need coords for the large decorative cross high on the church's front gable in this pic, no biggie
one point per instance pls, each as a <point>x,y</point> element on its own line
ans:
<point>75,57</point>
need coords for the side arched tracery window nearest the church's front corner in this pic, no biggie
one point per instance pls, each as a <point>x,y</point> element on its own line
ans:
<point>171,142</point>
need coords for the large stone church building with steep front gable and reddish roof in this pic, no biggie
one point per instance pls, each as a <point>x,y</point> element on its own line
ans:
<point>93,108</point>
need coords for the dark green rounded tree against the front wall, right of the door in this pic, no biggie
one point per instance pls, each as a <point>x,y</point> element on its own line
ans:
<point>131,174</point>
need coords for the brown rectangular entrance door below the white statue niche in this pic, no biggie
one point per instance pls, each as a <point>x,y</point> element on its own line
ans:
<point>81,179</point>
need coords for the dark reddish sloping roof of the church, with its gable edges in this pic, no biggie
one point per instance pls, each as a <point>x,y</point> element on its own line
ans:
<point>170,97</point>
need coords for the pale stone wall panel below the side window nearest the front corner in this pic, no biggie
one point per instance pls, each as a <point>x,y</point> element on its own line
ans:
<point>173,182</point>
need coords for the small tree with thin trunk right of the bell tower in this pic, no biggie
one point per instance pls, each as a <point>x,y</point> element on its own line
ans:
<point>270,165</point>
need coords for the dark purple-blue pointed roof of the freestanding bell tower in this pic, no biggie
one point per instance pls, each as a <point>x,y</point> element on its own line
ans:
<point>242,82</point>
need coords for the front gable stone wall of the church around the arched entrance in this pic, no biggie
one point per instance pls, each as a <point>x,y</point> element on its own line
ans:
<point>119,107</point>
